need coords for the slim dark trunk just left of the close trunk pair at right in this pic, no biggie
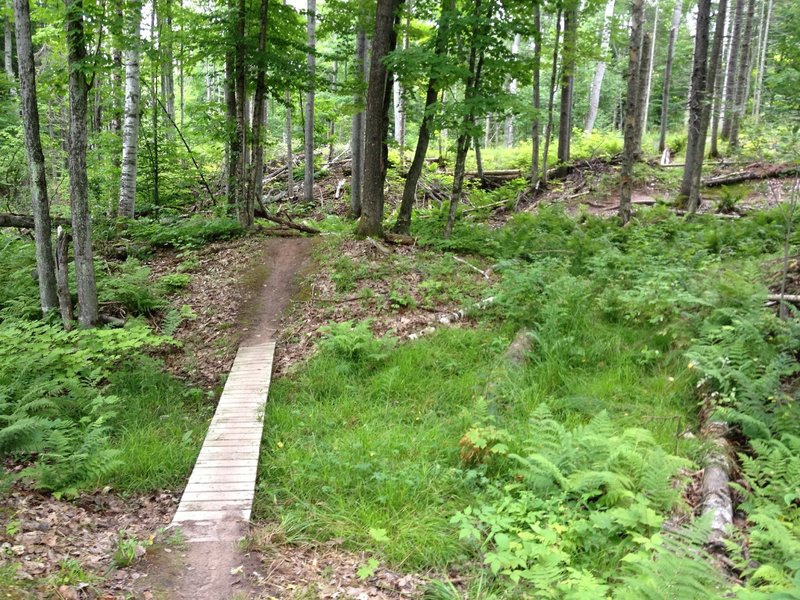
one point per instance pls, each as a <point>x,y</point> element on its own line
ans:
<point>631,103</point>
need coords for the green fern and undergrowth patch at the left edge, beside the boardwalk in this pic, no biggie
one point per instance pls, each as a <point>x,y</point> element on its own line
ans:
<point>53,407</point>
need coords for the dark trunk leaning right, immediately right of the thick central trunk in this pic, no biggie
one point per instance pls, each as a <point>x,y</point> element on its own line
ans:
<point>403,224</point>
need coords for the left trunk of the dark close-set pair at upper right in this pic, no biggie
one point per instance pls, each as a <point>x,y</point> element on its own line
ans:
<point>698,97</point>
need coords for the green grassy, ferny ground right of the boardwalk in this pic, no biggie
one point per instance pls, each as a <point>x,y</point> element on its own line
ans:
<point>564,475</point>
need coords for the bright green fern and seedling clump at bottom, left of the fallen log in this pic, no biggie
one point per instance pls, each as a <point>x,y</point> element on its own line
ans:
<point>547,517</point>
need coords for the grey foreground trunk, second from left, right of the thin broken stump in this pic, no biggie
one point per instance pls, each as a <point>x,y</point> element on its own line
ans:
<point>76,162</point>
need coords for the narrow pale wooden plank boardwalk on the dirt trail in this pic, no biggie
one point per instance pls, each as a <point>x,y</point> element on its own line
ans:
<point>218,499</point>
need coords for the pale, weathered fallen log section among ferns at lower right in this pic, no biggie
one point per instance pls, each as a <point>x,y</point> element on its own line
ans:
<point>717,501</point>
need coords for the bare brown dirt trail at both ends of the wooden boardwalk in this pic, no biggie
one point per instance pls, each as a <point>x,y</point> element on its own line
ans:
<point>211,566</point>
